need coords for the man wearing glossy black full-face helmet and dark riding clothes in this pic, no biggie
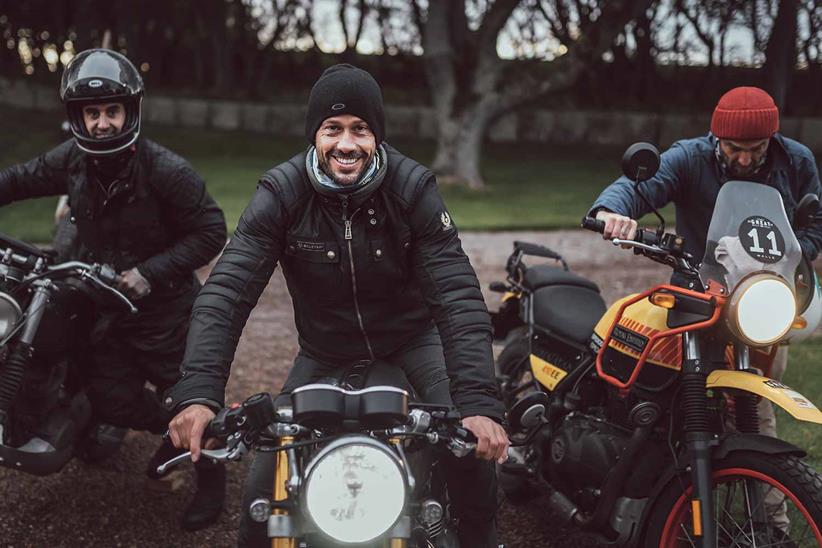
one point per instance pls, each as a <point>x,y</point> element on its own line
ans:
<point>143,210</point>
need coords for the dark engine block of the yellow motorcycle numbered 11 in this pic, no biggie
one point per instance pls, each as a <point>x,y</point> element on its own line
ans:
<point>581,452</point>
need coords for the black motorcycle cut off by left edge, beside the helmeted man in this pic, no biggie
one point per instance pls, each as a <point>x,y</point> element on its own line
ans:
<point>47,311</point>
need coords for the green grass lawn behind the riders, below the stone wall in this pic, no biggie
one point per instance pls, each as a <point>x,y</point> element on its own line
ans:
<point>529,187</point>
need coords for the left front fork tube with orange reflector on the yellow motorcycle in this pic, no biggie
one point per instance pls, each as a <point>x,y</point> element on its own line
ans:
<point>698,440</point>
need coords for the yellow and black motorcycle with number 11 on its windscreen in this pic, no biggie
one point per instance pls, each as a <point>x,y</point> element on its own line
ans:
<point>640,423</point>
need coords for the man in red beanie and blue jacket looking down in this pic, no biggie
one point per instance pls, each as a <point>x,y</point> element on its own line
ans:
<point>743,145</point>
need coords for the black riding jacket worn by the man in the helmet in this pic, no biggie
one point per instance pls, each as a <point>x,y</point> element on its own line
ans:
<point>156,216</point>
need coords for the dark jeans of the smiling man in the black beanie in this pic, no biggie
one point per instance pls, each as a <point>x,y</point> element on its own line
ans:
<point>472,483</point>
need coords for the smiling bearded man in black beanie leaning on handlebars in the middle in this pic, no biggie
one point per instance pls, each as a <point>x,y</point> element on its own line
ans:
<point>377,276</point>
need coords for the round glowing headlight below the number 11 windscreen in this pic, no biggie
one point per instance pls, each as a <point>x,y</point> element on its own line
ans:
<point>762,309</point>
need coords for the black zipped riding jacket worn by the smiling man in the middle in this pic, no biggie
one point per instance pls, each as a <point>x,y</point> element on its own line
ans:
<point>366,271</point>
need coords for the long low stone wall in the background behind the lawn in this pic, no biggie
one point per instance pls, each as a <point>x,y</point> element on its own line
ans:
<point>532,126</point>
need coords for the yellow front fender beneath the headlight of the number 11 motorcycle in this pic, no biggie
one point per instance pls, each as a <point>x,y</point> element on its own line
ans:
<point>791,401</point>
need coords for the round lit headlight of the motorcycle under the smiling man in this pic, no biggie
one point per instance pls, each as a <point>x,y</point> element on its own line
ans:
<point>355,490</point>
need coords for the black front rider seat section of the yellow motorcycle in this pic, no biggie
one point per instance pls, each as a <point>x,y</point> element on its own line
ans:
<point>568,311</point>
